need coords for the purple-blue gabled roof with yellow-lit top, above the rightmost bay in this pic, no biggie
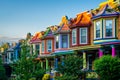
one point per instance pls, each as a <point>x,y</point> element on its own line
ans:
<point>106,9</point>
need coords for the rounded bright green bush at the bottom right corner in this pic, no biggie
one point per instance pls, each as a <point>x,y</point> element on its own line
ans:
<point>108,67</point>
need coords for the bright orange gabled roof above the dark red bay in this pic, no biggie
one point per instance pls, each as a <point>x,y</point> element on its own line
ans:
<point>81,20</point>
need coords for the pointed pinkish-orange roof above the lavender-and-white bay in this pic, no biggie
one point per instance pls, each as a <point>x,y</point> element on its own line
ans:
<point>64,25</point>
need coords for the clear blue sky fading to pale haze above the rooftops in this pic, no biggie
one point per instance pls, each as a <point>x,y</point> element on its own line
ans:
<point>18,17</point>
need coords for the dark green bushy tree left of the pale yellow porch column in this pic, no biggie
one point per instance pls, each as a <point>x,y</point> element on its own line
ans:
<point>72,66</point>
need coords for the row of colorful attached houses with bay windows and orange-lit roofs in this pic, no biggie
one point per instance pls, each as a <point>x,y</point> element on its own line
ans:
<point>90,34</point>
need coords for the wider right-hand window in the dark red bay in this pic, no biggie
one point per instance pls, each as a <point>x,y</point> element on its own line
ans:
<point>83,35</point>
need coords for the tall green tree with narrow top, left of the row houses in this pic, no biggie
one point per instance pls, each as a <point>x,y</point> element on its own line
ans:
<point>26,67</point>
